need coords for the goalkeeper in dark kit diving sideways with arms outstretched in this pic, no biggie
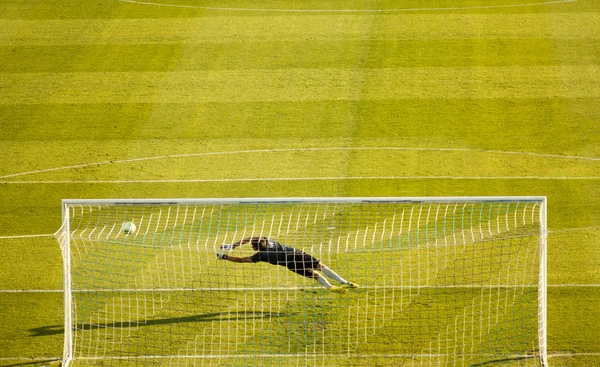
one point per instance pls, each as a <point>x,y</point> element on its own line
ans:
<point>295,260</point>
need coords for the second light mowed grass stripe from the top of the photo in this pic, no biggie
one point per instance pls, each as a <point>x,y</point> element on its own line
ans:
<point>302,85</point>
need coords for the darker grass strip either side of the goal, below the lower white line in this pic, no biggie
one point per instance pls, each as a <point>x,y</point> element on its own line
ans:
<point>42,329</point>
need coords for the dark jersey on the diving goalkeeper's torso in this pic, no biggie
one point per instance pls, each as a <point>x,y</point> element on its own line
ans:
<point>295,260</point>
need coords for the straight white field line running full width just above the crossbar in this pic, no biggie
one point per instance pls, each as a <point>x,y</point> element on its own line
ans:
<point>273,179</point>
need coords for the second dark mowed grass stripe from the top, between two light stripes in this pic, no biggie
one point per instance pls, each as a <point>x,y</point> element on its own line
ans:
<point>305,54</point>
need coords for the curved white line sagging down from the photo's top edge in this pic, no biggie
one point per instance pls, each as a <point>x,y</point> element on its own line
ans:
<point>350,10</point>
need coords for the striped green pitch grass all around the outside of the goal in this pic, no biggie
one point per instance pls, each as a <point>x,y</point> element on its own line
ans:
<point>101,83</point>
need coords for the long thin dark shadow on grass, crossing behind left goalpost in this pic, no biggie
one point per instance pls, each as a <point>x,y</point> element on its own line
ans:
<point>205,317</point>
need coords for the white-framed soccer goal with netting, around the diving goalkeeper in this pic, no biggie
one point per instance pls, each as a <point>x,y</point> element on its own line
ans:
<point>447,281</point>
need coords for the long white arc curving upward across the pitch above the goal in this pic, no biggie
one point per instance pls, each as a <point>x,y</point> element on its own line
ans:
<point>275,151</point>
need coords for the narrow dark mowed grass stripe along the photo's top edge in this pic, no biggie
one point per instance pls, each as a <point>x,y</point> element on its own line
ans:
<point>73,9</point>
